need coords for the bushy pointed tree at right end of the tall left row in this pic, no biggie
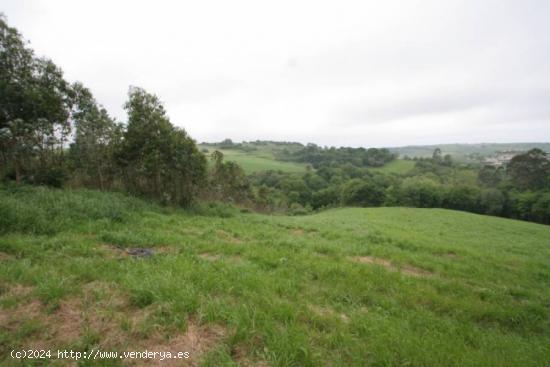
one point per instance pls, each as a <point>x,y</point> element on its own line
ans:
<point>158,159</point>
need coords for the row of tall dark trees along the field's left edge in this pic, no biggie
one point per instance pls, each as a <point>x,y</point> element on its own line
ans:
<point>55,133</point>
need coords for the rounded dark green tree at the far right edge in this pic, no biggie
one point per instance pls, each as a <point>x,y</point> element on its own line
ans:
<point>529,171</point>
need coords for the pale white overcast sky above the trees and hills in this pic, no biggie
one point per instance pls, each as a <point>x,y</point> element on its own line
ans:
<point>353,73</point>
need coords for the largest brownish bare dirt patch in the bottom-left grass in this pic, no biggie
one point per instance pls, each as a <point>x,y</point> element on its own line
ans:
<point>103,311</point>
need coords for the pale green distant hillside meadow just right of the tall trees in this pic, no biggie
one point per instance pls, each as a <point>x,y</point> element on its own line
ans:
<point>261,160</point>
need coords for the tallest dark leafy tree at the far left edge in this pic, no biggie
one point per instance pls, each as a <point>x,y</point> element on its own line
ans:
<point>34,108</point>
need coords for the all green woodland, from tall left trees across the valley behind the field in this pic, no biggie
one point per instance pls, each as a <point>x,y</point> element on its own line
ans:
<point>55,133</point>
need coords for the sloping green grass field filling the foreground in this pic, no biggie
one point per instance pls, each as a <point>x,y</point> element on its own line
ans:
<point>346,287</point>
